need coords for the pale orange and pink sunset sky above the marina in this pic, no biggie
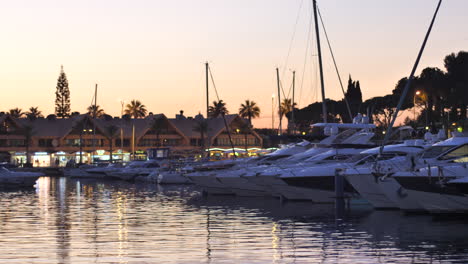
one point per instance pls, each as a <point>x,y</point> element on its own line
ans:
<point>155,50</point>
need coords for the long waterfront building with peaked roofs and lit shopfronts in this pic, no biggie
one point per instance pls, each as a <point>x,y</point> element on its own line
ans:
<point>55,141</point>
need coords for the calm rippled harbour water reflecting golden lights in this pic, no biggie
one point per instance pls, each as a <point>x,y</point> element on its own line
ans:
<point>69,221</point>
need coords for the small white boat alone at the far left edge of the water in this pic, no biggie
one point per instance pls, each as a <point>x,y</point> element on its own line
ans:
<point>15,179</point>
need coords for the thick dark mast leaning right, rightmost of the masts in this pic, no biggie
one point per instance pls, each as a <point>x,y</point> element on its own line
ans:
<point>410,79</point>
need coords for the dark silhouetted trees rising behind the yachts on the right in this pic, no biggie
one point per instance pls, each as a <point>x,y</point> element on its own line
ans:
<point>439,98</point>
